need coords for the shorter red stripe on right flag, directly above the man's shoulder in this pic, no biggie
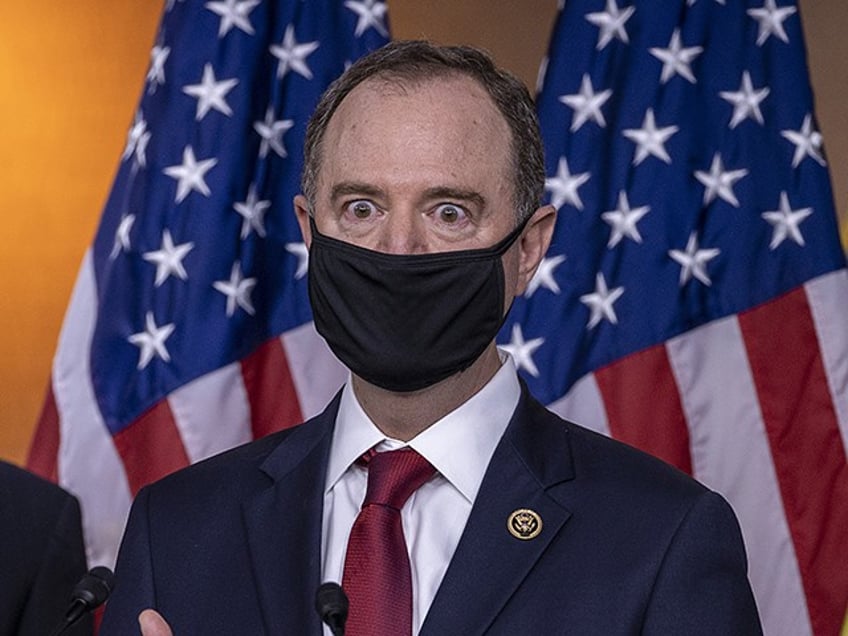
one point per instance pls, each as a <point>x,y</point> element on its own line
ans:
<point>643,406</point>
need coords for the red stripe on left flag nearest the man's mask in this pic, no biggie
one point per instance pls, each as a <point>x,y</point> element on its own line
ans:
<point>274,404</point>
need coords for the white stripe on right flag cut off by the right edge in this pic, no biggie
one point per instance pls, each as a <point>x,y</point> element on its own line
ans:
<point>828,298</point>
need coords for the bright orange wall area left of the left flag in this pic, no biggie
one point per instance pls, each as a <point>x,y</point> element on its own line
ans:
<point>70,74</point>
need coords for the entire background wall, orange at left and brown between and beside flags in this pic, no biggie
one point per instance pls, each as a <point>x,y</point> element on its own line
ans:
<point>70,76</point>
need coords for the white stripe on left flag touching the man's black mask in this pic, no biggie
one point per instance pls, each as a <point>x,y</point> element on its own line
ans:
<point>317,374</point>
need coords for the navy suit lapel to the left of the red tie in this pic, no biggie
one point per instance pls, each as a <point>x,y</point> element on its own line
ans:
<point>283,525</point>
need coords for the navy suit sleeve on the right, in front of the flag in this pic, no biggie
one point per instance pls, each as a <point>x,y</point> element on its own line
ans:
<point>702,585</point>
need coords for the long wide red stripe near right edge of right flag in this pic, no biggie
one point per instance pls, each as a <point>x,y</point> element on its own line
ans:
<point>806,448</point>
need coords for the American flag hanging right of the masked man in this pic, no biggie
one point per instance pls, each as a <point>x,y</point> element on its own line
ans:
<point>693,302</point>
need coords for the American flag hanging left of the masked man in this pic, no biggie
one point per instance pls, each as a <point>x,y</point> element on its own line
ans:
<point>189,329</point>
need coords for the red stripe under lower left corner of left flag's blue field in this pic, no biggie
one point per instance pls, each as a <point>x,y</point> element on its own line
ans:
<point>151,447</point>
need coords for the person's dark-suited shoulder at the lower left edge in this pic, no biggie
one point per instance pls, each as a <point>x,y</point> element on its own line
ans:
<point>42,555</point>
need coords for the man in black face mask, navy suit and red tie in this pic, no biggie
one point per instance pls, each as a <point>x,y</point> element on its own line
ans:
<point>421,207</point>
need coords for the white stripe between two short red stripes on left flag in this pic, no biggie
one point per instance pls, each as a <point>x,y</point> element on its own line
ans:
<point>212,413</point>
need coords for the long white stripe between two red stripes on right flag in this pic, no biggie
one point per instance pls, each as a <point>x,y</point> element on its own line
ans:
<point>731,454</point>
